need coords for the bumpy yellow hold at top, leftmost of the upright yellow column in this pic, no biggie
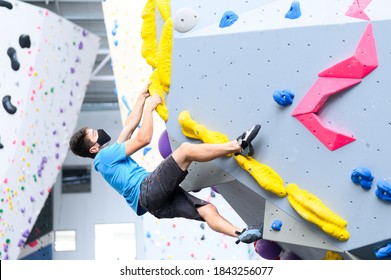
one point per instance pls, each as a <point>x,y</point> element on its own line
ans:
<point>148,34</point>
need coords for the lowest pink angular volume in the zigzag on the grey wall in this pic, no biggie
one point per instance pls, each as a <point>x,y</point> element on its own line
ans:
<point>331,139</point>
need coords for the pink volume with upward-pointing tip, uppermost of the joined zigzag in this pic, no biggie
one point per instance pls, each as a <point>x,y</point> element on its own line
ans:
<point>363,62</point>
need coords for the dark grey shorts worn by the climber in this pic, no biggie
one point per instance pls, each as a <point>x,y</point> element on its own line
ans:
<point>162,196</point>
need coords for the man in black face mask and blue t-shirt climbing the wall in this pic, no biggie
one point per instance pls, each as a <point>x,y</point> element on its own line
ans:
<point>158,192</point>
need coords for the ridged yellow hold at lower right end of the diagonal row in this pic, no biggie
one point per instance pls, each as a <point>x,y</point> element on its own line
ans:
<point>313,210</point>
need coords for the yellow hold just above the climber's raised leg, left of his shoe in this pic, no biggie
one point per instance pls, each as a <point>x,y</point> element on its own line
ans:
<point>192,129</point>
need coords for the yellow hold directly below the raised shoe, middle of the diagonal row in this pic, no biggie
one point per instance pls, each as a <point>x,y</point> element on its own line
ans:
<point>266,177</point>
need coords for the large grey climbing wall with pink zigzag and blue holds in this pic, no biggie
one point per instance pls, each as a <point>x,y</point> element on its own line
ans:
<point>314,74</point>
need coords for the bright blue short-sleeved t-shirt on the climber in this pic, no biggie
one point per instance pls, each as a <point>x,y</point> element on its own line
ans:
<point>122,173</point>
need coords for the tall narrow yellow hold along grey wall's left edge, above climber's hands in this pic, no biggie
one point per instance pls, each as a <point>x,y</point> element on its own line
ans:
<point>164,55</point>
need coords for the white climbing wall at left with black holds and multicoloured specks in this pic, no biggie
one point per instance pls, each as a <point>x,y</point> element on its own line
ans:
<point>45,64</point>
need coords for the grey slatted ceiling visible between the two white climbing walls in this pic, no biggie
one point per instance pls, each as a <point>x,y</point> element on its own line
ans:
<point>88,14</point>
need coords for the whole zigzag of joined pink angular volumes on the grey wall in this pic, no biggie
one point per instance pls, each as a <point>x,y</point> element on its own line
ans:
<point>342,75</point>
